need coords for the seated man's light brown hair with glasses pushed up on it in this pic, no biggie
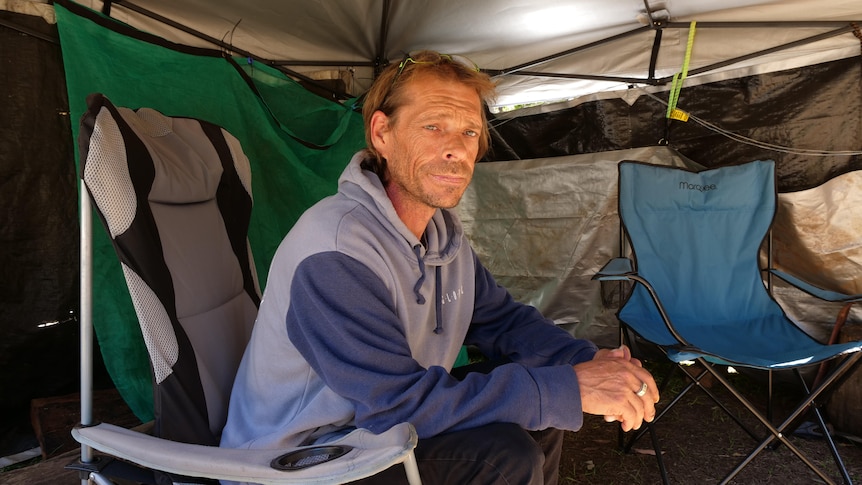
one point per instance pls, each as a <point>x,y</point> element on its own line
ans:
<point>387,95</point>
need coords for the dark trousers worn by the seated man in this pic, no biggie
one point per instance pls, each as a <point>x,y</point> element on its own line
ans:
<point>500,453</point>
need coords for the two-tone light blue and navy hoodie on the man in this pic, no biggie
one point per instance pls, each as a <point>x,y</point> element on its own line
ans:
<point>360,324</point>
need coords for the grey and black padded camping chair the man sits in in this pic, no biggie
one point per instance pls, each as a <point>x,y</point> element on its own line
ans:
<point>174,195</point>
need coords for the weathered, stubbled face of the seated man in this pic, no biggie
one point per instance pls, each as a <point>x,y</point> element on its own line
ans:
<point>431,146</point>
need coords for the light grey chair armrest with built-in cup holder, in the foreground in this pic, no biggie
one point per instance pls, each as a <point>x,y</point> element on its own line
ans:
<point>370,454</point>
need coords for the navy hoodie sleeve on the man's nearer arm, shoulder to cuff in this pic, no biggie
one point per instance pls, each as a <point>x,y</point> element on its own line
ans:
<point>341,318</point>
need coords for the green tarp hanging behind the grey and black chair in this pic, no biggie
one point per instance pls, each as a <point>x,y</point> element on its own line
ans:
<point>280,124</point>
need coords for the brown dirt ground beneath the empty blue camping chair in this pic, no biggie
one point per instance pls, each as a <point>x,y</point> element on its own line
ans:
<point>701,444</point>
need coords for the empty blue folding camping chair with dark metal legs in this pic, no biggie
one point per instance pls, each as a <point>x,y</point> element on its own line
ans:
<point>698,293</point>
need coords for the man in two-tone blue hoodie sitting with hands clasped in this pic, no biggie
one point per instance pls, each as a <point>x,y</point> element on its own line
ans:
<point>375,289</point>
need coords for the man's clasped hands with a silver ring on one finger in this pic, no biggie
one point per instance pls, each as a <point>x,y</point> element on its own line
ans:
<point>616,386</point>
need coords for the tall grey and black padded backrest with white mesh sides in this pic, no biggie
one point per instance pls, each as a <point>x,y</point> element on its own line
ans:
<point>174,195</point>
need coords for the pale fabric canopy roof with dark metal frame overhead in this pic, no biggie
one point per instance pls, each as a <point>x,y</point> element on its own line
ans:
<point>540,50</point>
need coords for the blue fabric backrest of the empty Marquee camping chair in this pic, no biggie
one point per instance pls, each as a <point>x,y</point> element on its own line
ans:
<point>696,238</point>
